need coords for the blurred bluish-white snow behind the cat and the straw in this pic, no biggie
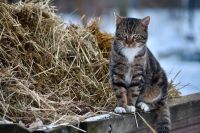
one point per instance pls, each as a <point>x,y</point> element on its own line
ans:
<point>170,41</point>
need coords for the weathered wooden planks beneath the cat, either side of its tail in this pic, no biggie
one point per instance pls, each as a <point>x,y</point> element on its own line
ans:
<point>183,110</point>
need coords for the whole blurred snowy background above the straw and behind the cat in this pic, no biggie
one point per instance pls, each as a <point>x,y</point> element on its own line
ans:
<point>173,32</point>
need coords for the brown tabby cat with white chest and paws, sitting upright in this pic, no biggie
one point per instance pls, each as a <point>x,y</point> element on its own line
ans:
<point>136,76</point>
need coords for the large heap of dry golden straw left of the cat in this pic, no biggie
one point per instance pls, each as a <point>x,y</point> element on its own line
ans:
<point>49,72</point>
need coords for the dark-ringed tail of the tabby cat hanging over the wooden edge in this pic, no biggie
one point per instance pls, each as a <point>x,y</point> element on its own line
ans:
<point>163,121</point>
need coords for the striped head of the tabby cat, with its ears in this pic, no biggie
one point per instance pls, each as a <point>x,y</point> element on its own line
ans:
<point>132,32</point>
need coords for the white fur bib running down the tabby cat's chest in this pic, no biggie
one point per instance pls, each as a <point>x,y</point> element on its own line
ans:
<point>130,54</point>
